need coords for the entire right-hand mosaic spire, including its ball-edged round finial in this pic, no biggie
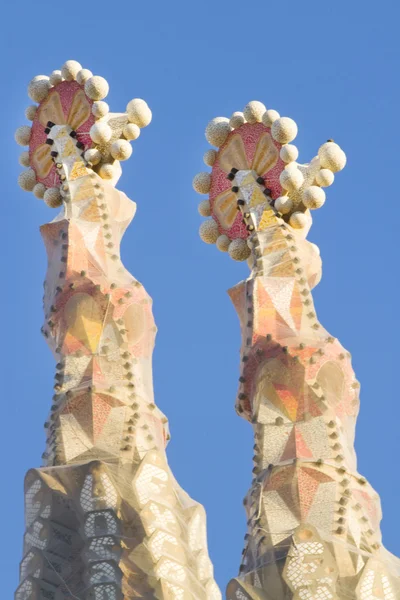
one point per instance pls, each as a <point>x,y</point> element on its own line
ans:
<point>312,520</point>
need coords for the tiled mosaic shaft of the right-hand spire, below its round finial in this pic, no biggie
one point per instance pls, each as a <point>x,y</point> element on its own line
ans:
<point>313,520</point>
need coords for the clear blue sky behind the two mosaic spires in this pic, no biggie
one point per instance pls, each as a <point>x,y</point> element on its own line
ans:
<point>331,66</point>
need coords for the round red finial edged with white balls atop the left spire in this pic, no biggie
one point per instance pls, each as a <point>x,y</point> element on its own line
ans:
<point>73,96</point>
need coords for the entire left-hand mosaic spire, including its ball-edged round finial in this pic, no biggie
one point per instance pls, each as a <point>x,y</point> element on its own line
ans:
<point>105,518</point>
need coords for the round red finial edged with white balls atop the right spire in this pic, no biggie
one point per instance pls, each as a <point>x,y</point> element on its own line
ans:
<point>256,163</point>
